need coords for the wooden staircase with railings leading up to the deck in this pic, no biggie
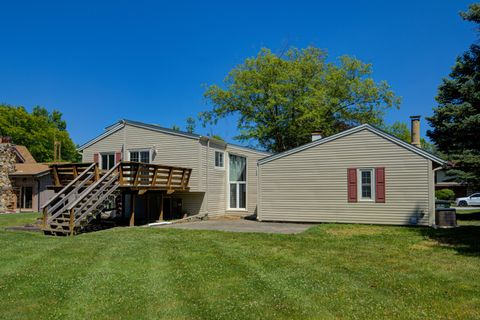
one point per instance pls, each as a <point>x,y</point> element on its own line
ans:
<point>83,199</point>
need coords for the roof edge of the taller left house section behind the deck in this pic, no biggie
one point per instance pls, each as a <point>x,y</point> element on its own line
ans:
<point>120,124</point>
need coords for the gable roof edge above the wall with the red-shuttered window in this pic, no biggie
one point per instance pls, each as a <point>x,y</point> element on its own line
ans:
<point>353,130</point>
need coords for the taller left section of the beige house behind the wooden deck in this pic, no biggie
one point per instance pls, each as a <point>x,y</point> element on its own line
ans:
<point>223,176</point>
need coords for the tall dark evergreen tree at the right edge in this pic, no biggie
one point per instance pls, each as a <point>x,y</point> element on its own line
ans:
<point>456,119</point>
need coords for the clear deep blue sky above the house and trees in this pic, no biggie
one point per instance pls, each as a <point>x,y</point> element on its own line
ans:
<point>100,61</point>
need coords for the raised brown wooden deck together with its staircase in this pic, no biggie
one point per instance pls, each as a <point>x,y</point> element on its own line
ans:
<point>88,191</point>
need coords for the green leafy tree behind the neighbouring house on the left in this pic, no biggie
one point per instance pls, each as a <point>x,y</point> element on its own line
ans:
<point>37,131</point>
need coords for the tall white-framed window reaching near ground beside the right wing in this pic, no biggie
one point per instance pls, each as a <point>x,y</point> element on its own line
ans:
<point>238,182</point>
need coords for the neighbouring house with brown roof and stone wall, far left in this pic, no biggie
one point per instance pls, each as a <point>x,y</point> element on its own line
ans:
<point>26,189</point>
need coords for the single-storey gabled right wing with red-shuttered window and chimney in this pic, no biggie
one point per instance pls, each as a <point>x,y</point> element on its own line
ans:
<point>361,175</point>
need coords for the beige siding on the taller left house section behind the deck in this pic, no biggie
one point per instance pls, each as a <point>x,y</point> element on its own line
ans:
<point>208,185</point>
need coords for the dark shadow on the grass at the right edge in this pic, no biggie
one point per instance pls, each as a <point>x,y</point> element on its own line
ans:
<point>465,239</point>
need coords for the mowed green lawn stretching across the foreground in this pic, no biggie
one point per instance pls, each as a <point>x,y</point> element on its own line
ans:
<point>329,271</point>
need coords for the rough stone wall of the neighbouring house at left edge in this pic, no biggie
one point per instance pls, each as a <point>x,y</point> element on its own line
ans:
<point>7,166</point>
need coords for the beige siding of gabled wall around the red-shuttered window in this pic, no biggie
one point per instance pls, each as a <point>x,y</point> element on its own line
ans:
<point>311,185</point>
